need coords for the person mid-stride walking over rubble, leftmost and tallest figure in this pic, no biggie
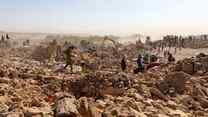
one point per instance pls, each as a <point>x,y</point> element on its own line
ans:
<point>69,61</point>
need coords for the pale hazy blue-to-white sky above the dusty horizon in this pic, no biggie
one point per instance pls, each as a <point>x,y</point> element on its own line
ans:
<point>118,17</point>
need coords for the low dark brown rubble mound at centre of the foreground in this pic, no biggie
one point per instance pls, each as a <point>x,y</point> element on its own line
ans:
<point>99,84</point>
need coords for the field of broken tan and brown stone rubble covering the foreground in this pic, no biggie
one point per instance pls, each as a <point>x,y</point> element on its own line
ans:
<point>30,88</point>
